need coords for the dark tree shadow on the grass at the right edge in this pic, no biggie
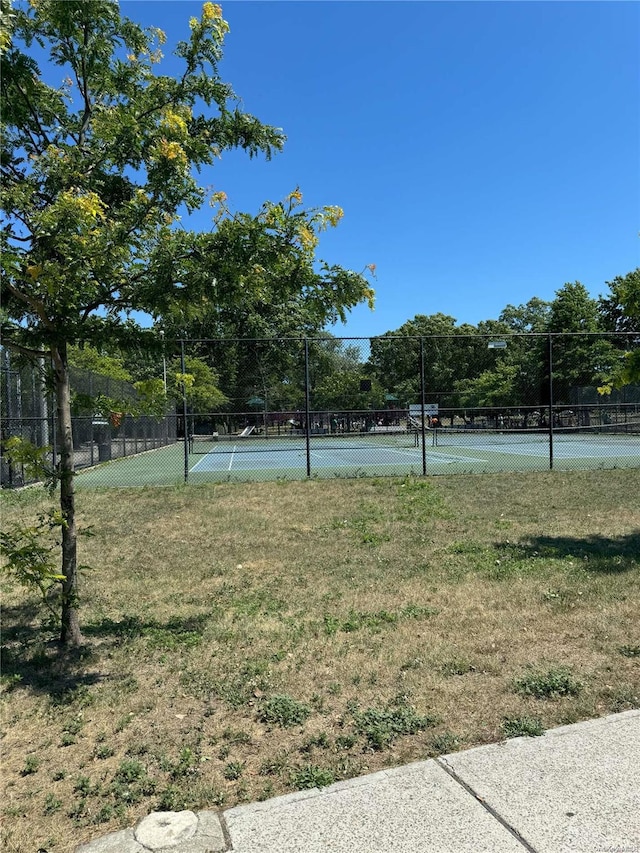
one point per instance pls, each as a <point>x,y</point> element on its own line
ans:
<point>602,554</point>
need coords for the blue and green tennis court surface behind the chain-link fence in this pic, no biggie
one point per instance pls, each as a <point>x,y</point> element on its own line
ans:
<point>445,452</point>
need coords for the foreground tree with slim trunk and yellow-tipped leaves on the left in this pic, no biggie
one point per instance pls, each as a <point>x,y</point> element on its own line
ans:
<point>94,175</point>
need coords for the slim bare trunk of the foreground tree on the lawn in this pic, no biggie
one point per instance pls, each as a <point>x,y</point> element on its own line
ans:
<point>70,626</point>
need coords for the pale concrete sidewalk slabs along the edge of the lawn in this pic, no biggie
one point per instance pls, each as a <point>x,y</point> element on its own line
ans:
<point>574,790</point>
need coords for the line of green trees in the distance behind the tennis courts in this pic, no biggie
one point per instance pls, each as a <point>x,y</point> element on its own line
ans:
<point>257,353</point>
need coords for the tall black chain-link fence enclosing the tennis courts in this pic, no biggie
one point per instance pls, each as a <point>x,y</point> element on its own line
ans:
<point>345,407</point>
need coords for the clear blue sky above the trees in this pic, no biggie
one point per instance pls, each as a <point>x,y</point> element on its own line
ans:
<point>484,152</point>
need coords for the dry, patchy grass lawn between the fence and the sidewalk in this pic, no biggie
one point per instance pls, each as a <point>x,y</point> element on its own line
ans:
<point>244,640</point>
